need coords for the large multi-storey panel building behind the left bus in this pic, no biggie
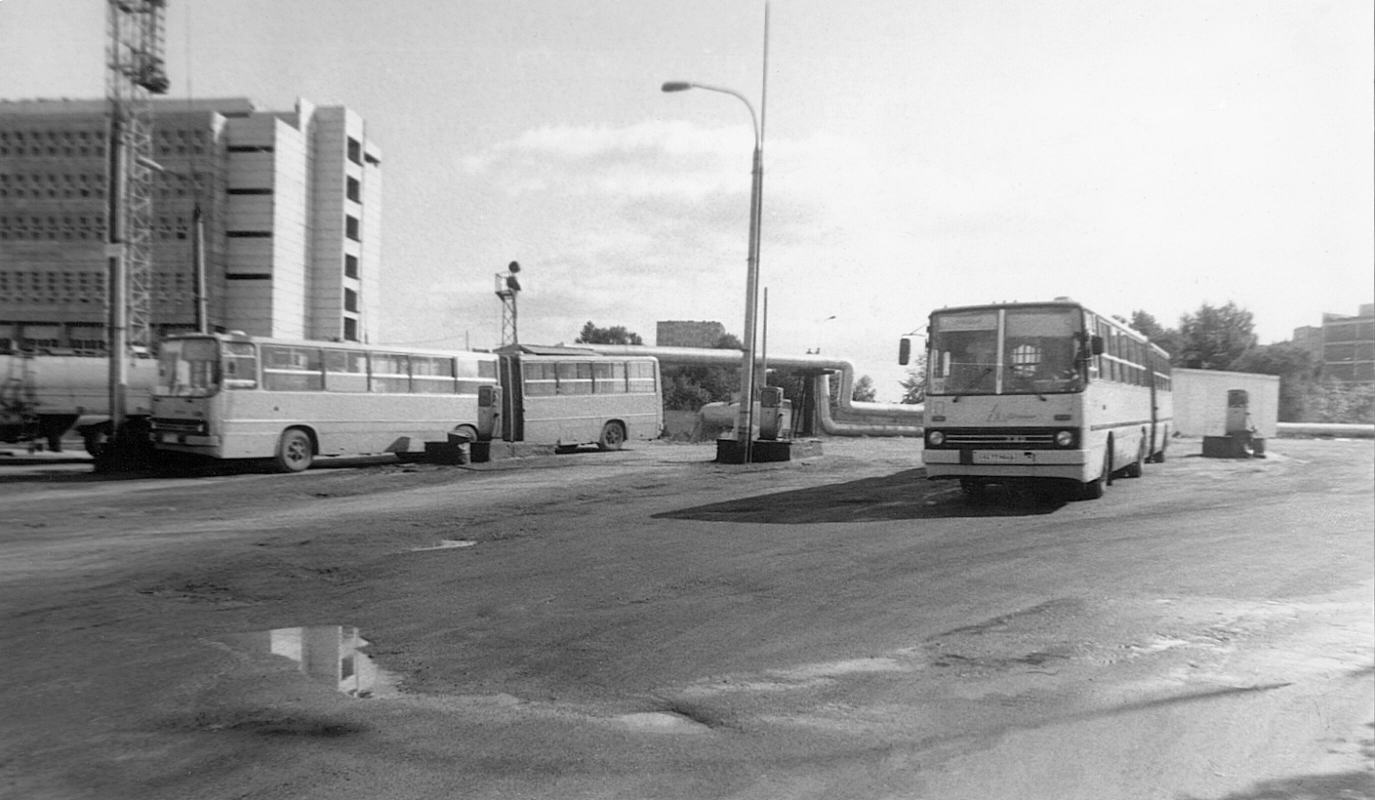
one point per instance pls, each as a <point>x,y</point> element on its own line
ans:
<point>292,204</point>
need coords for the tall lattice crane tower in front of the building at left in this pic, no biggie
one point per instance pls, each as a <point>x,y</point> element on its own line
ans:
<point>135,69</point>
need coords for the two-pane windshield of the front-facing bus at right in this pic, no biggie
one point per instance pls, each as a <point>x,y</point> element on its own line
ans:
<point>1020,351</point>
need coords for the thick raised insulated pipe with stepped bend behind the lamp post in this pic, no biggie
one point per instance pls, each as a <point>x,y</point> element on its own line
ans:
<point>853,419</point>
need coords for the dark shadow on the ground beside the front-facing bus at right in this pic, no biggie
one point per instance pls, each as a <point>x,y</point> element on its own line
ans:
<point>904,496</point>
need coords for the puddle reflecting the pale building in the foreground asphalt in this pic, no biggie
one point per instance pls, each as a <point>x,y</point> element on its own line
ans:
<point>329,655</point>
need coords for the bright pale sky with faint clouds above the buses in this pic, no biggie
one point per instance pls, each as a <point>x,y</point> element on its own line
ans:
<point>1138,155</point>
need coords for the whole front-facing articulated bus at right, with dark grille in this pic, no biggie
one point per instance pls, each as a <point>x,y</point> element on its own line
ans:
<point>1042,391</point>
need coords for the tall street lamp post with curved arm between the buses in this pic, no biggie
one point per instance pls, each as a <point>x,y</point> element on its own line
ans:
<point>746,417</point>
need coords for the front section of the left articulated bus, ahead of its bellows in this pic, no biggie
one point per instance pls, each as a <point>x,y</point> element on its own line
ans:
<point>234,397</point>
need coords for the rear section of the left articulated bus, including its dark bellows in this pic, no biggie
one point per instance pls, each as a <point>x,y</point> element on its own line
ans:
<point>573,397</point>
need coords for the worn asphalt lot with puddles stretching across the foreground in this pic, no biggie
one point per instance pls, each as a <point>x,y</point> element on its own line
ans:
<point>652,625</point>
